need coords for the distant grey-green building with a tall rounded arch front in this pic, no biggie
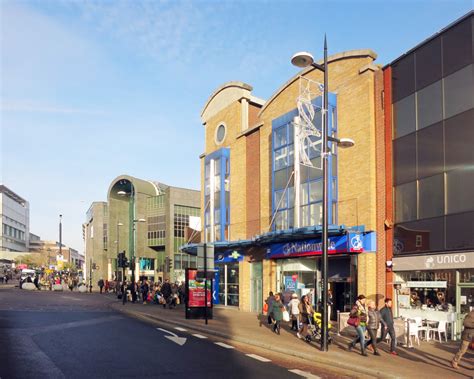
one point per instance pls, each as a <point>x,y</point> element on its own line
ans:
<point>149,221</point>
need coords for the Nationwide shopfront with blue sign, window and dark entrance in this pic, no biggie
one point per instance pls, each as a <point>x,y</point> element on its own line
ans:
<point>299,266</point>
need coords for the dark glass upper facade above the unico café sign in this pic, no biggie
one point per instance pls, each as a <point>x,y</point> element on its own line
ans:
<point>433,135</point>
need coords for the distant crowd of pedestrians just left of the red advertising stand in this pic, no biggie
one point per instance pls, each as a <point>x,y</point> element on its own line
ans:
<point>162,293</point>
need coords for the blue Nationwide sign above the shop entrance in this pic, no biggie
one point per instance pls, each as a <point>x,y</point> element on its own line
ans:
<point>347,243</point>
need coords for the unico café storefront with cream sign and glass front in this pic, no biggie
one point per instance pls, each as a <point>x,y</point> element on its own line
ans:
<point>441,286</point>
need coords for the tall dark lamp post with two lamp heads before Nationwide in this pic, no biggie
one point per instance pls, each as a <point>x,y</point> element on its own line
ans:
<point>302,60</point>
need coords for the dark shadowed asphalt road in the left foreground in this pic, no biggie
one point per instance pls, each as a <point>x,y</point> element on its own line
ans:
<point>72,335</point>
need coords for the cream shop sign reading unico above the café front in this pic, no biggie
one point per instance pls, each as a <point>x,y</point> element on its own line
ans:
<point>434,262</point>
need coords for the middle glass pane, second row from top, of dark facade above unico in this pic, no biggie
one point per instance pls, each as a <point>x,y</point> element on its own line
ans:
<point>430,105</point>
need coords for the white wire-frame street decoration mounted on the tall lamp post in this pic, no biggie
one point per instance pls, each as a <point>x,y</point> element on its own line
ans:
<point>308,124</point>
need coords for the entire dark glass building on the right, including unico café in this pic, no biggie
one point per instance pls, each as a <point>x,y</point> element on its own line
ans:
<point>429,126</point>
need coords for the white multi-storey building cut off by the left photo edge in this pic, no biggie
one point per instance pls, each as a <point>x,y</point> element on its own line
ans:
<point>15,216</point>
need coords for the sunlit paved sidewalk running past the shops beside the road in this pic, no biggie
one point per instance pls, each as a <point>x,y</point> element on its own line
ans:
<point>429,360</point>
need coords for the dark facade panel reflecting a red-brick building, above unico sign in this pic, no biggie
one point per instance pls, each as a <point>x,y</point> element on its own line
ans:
<point>424,235</point>
